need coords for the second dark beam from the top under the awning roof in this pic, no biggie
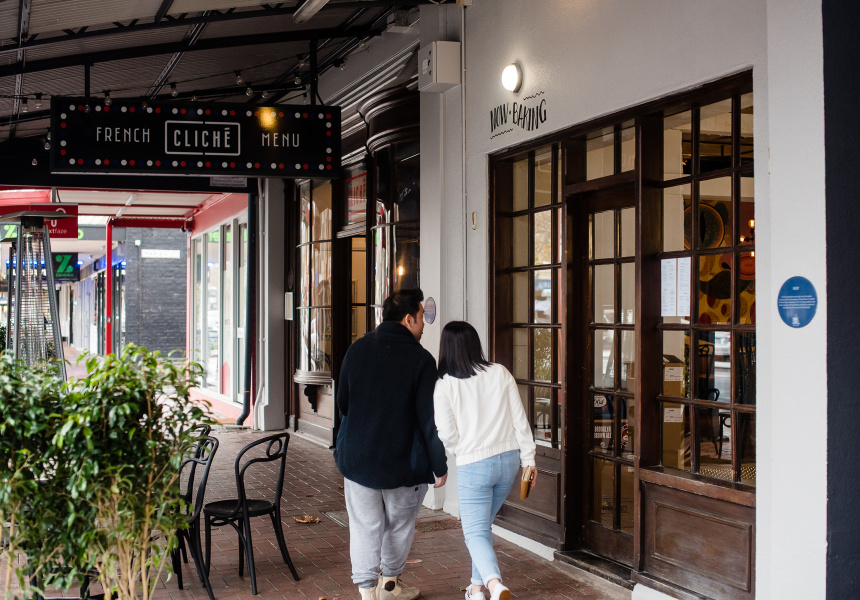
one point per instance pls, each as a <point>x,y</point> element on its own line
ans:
<point>60,62</point>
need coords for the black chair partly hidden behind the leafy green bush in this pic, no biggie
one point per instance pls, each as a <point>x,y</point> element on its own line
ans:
<point>201,456</point>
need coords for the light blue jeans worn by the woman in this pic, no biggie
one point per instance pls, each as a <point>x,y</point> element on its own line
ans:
<point>483,487</point>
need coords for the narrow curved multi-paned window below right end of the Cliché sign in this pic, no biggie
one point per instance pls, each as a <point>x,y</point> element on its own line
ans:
<point>314,308</point>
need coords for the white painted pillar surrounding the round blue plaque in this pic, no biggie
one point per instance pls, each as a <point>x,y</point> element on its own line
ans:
<point>792,492</point>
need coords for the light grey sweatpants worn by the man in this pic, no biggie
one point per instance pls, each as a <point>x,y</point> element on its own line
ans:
<point>381,529</point>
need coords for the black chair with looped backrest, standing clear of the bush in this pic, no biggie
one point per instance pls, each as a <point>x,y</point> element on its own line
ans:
<point>238,512</point>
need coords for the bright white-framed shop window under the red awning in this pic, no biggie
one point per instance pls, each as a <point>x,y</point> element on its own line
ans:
<point>217,301</point>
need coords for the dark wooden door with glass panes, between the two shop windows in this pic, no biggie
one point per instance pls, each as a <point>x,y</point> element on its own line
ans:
<point>604,233</point>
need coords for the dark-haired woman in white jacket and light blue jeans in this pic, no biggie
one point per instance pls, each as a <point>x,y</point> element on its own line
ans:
<point>480,419</point>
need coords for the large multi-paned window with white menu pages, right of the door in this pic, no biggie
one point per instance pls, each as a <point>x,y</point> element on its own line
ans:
<point>708,259</point>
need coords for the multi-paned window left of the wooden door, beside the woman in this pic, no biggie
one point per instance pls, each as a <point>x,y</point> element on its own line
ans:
<point>529,214</point>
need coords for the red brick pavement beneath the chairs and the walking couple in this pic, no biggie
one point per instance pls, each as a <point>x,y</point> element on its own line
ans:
<point>320,552</point>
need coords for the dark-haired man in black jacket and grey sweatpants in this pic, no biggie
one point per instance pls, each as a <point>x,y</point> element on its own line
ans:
<point>387,447</point>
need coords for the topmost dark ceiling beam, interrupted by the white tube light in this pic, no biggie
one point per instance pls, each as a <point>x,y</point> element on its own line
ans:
<point>213,17</point>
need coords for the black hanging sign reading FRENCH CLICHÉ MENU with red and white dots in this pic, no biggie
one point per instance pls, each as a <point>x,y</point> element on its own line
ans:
<point>193,138</point>
